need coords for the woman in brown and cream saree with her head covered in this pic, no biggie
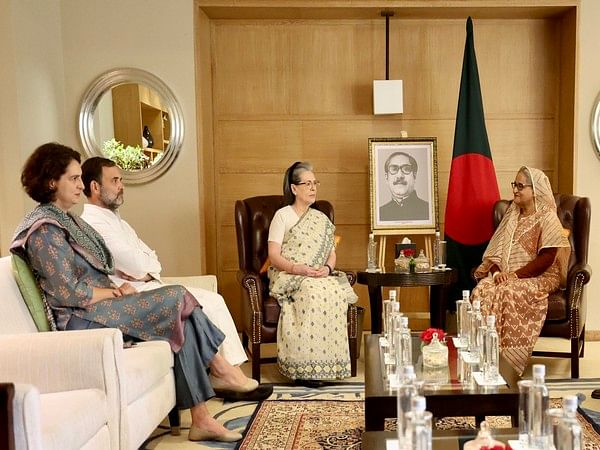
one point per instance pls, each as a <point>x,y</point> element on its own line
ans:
<point>524,262</point>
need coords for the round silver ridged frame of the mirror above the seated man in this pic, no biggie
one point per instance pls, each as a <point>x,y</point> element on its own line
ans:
<point>116,77</point>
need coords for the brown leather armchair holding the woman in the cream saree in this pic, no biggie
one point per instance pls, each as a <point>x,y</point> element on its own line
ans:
<point>261,311</point>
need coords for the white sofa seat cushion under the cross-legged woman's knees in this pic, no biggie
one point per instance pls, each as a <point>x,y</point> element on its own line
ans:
<point>145,364</point>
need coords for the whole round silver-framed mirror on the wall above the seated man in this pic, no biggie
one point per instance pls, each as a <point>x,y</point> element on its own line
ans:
<point>133,118</point>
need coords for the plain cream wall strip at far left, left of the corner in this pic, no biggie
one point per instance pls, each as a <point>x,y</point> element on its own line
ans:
<point>32,100</point>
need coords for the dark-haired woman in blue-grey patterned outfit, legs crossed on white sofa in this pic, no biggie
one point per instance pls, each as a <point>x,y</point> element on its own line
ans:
<point>72,264</point>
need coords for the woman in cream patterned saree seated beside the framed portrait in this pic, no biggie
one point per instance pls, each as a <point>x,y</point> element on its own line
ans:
<point>312,336</point>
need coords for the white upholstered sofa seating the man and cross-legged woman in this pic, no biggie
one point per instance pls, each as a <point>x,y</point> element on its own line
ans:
<point>85,390</point>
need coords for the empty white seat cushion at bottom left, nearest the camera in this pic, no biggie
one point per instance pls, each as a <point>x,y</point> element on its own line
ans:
<point>71,418</point>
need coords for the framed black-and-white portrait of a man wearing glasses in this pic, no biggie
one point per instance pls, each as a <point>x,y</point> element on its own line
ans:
<point>403,185</point>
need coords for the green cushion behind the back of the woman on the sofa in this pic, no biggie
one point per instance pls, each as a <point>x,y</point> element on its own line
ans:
<point>28,285</point>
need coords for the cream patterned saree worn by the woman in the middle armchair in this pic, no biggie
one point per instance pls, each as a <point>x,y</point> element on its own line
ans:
<point>312,335</point>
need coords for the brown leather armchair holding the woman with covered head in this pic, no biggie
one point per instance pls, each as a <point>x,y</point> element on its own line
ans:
<point>567,307</point>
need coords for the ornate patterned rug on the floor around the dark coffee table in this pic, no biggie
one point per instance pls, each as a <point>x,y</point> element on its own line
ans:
<point>329,418</point>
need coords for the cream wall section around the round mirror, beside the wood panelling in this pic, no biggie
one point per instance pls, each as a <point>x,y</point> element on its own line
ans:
<point>156,36</point>
